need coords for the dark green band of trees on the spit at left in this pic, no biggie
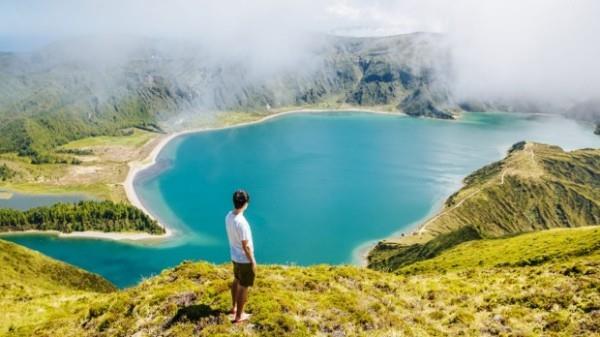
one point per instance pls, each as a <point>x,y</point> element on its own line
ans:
<point>106,216</point>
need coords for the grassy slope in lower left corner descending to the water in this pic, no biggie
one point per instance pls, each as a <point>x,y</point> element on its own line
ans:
<point>33,288</point>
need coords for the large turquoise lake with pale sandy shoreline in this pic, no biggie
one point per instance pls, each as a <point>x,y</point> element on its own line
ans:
<point>321,185</point>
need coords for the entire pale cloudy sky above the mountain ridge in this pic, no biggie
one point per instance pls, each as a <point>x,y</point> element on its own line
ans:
<point>542,49</point>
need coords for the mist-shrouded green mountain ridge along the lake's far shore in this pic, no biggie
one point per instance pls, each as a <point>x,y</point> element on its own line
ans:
<point>50,97</point>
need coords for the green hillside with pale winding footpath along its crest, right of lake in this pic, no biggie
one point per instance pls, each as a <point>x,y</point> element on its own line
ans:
<point>535,187</point>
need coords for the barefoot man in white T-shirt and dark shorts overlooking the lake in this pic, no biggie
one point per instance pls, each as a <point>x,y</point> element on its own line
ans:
<point>241,248</point>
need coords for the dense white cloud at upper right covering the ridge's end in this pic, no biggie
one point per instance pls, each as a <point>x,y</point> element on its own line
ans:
<point>537,49</point>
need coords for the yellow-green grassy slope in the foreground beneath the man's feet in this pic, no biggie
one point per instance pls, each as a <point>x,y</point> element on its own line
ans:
<point>556,297</point>
